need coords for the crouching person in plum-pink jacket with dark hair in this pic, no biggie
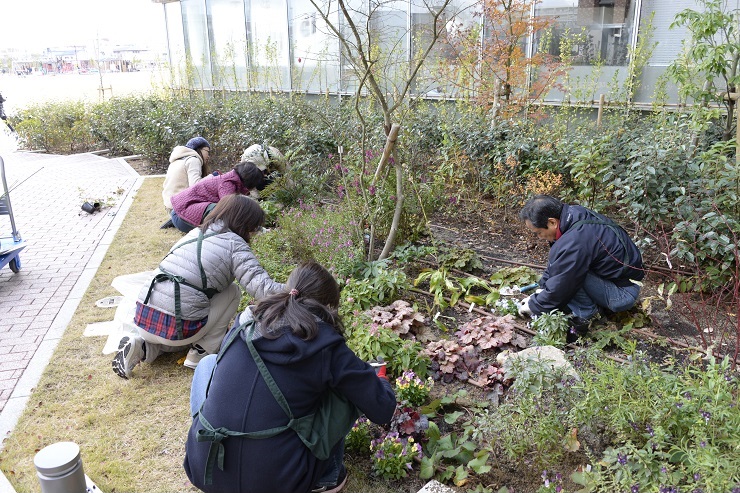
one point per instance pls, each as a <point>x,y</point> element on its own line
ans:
<point>193,204</point>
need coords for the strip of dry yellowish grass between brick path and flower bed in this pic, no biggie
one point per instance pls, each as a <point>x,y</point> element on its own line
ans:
<point>131,432</point>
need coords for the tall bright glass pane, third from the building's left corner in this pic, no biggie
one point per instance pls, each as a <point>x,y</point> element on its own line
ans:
<point>228,38</point>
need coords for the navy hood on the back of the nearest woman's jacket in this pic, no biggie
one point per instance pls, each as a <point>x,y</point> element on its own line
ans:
<point>289,348</point>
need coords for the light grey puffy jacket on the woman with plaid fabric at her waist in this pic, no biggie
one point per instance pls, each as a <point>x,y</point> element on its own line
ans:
<point>225,257</point>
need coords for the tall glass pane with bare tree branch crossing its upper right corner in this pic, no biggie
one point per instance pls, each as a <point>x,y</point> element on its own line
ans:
<point>315,49</point>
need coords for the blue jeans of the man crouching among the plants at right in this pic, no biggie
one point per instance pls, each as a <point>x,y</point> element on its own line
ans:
<point>597,292</point>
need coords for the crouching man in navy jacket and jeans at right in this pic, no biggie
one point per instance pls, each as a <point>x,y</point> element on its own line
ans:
<point>593,264</point>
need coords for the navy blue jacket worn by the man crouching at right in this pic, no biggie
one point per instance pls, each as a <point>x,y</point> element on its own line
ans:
<point>607,252</point>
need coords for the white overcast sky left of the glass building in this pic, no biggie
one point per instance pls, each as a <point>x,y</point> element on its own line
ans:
<point>39,24</point>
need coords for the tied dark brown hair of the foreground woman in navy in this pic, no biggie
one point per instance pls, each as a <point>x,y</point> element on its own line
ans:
<point>312,292</point>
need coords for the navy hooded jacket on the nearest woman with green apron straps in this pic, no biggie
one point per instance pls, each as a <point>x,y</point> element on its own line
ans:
<point>238,399</point>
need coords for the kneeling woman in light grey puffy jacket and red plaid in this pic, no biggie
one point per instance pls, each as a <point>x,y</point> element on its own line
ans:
<point>193,298</point>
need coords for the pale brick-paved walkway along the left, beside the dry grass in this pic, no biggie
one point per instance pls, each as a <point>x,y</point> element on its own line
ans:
<point>64,249</point>
